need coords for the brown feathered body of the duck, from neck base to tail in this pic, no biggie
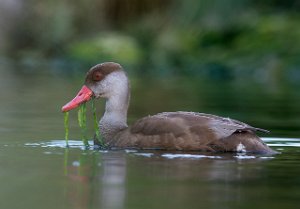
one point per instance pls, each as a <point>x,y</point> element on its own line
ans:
<point>191,131</point>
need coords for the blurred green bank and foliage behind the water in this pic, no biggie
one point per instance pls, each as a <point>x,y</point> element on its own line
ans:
<point>161,37</point>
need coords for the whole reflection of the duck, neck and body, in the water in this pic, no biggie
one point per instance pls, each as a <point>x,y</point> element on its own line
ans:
<point>102,180</point>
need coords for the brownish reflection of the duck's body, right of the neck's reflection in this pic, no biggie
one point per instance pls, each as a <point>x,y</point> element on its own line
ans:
<point>206,181</point>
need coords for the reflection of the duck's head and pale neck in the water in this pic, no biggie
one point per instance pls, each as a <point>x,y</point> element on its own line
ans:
<point>92,182</point>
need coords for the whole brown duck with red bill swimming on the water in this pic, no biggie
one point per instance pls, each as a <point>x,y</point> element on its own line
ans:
<point>172,131</point>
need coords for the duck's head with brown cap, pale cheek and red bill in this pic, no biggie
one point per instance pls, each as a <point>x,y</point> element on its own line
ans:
<point>102,80</point>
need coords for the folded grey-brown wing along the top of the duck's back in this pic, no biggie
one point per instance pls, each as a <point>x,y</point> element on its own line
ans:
<point>178,122</point>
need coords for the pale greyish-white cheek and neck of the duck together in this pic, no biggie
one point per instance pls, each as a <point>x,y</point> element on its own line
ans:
<point>115,116</point>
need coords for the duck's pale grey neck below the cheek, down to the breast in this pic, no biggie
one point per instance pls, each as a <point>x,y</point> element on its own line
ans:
<point>114,119</point>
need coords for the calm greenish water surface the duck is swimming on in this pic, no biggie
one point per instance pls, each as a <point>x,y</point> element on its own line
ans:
<point>37,171</point>
